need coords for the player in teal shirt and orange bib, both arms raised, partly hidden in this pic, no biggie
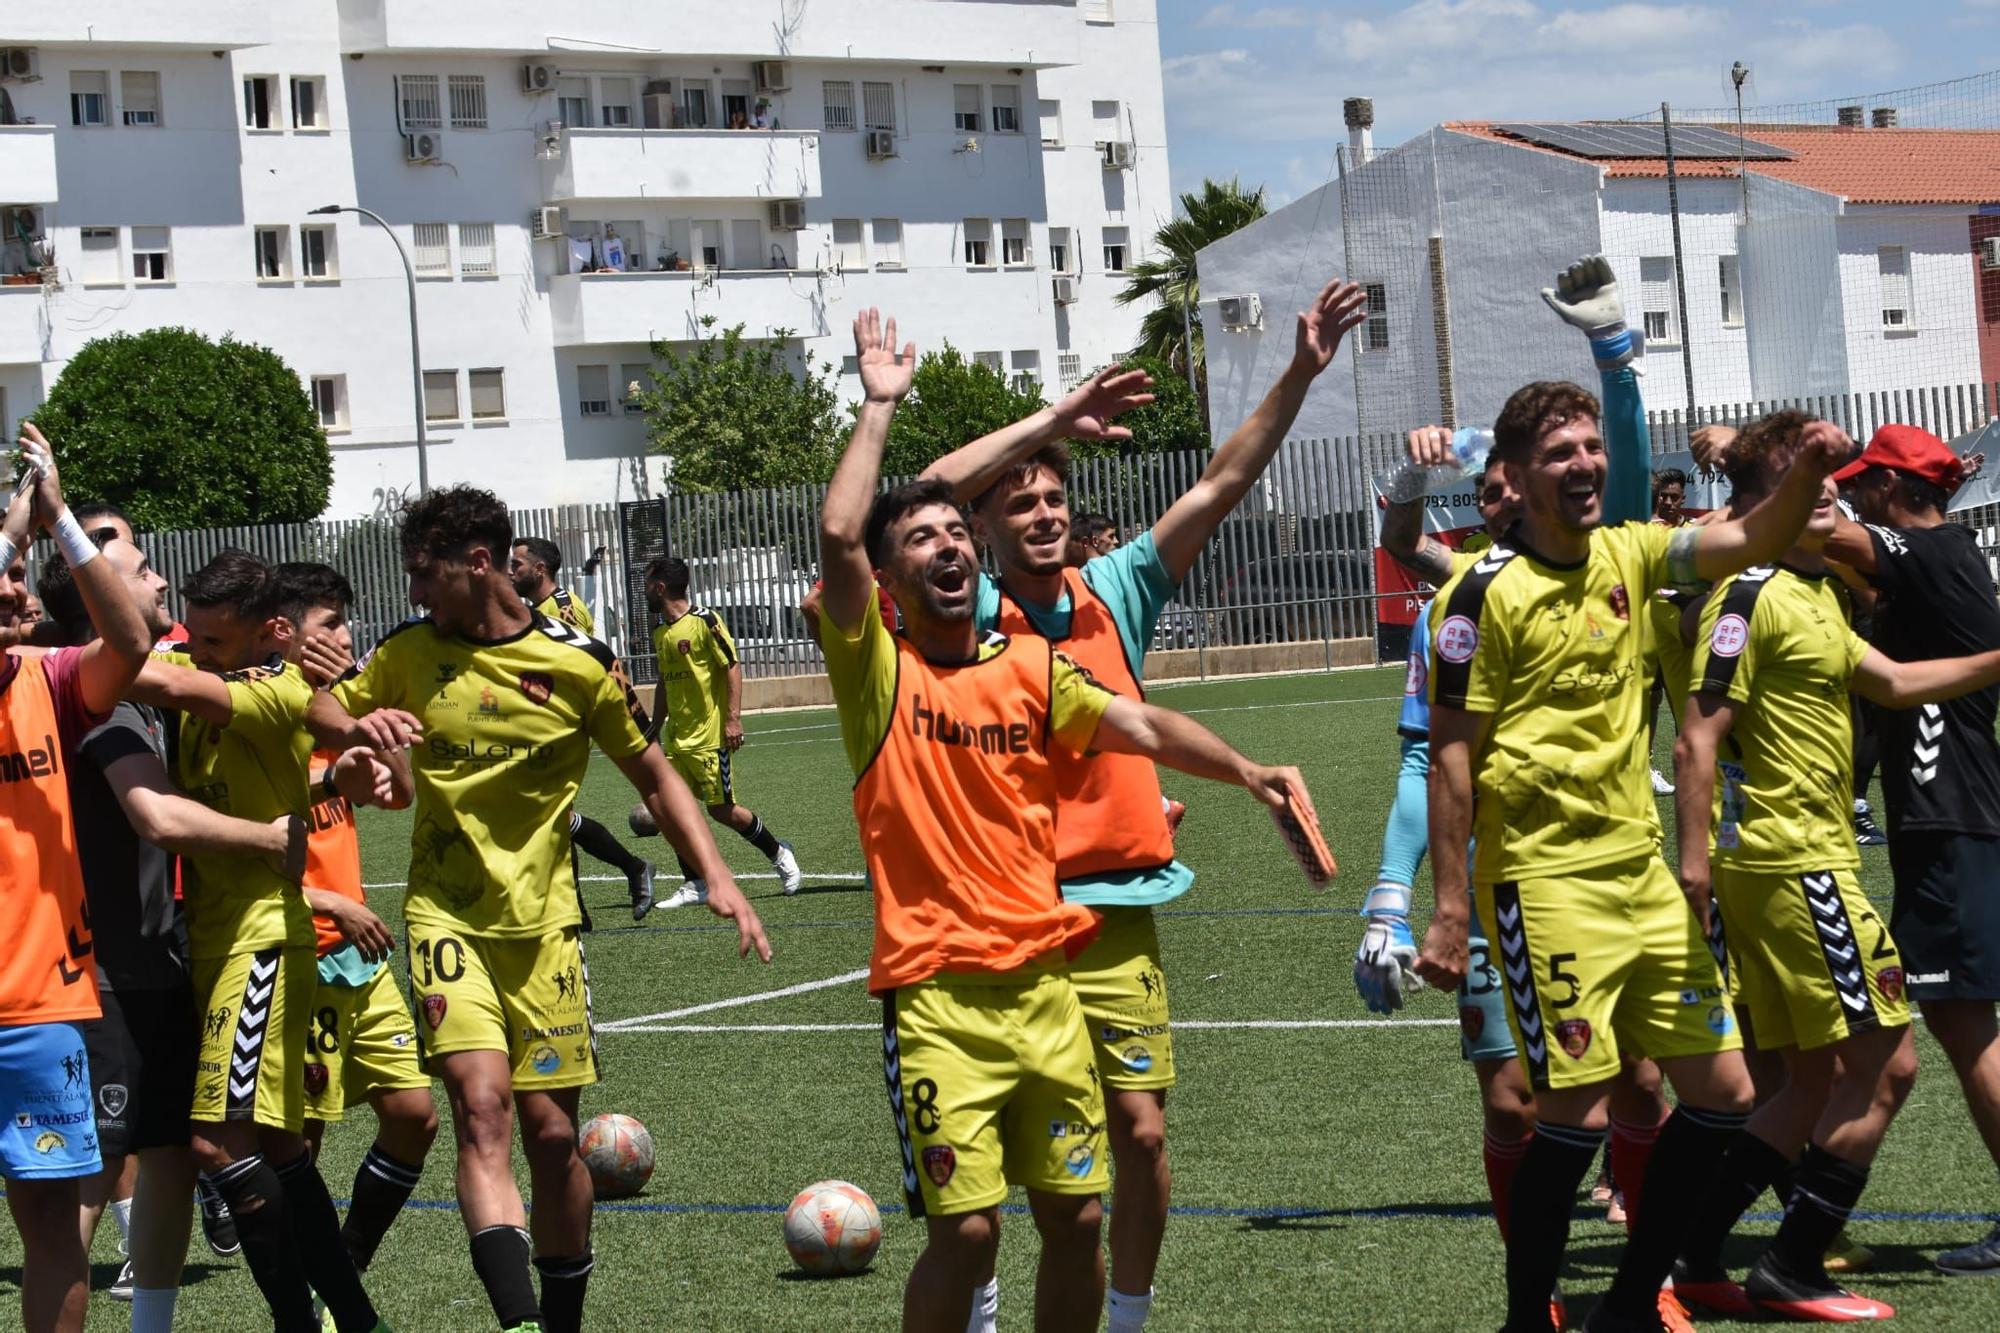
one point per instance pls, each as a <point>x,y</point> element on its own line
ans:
<point>1115,842</point>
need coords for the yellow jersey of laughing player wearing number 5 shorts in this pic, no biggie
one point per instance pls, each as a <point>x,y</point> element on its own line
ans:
<point>1557,655</point>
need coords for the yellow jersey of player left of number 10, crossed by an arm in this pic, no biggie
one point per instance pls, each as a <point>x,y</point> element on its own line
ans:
<point>257,770</point>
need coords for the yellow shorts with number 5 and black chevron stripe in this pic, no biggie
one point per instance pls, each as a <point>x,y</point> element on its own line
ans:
<point>1603,960</point>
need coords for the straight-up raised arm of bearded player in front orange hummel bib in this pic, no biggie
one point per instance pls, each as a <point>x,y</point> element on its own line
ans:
<point>851,495</point>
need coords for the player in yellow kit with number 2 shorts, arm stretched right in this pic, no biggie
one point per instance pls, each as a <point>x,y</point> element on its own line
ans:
<point>1819,972</point>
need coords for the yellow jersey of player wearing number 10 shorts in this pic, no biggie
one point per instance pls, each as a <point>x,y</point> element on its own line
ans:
<point>507,736</point>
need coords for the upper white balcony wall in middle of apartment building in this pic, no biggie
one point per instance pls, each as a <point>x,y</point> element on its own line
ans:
<point>687,165</point>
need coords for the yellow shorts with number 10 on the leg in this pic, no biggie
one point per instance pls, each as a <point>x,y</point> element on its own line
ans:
<point>529,998</point>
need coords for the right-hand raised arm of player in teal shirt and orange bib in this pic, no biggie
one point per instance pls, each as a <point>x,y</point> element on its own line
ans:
<point>1185,529</point>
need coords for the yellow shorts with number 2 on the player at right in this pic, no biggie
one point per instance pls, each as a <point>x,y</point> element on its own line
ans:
<point>1817,962</point>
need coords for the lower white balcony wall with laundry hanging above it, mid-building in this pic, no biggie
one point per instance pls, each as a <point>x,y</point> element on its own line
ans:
<point>645,307</point>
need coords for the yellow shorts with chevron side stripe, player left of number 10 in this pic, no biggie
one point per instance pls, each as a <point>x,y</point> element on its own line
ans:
<point>257,1010</point>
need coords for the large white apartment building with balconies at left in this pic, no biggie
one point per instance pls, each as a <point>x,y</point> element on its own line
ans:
<point>569,191</point>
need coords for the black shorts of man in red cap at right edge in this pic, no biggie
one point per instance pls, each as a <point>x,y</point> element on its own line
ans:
<point>1947,916</point>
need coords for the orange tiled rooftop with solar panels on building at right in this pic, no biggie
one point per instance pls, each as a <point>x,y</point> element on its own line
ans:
<point>1861,165</point>
